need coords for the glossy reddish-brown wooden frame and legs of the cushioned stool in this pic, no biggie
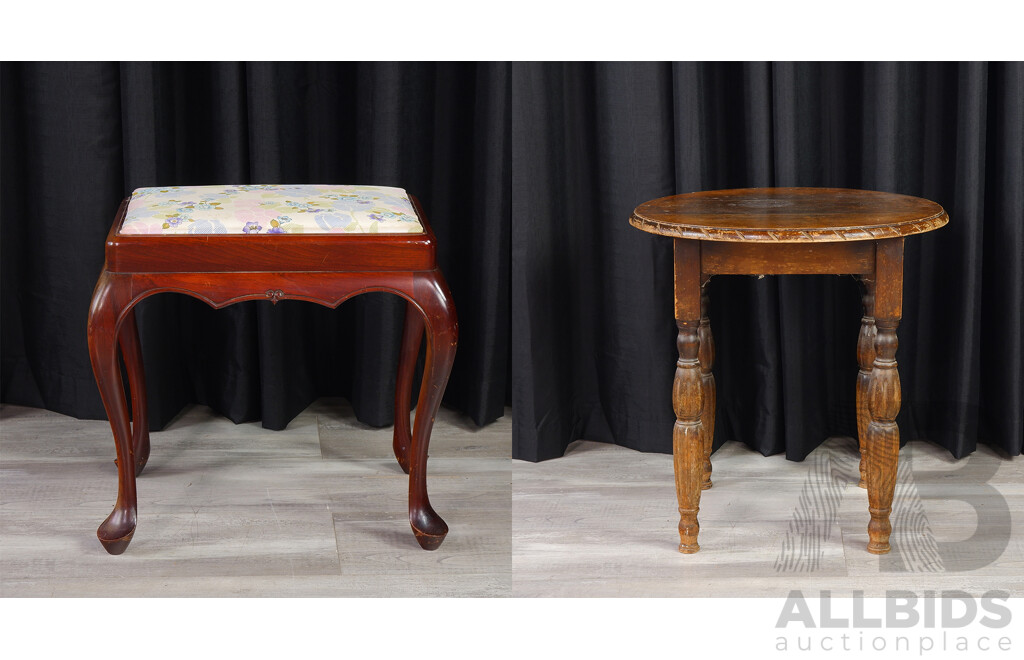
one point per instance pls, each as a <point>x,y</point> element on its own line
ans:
<point>225,270</point>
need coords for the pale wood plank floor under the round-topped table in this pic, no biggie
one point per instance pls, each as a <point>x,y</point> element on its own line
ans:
<point>602,522</point>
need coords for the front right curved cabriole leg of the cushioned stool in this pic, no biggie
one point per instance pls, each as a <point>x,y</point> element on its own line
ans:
<point>443,335</point>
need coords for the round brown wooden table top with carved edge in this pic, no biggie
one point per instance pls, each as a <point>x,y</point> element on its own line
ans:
<point>789,215</point>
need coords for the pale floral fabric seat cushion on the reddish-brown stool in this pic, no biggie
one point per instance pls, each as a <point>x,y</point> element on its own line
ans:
<point>258,210</point>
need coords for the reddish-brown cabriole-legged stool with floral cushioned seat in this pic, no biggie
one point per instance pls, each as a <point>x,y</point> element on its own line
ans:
<point>227,244</point>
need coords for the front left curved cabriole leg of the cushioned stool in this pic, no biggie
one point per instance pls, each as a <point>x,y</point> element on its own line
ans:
<point>108,300</point>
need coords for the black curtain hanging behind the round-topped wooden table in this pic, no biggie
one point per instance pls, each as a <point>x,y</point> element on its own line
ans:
<point>593,332</point>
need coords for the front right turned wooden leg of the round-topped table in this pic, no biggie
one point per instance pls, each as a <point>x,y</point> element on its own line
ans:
<point>884,394</point>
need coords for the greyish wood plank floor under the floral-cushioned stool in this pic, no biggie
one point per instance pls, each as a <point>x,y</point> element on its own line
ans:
<point>225,510</point>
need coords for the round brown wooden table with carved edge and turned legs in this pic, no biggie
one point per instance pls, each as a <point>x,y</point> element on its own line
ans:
<point>760,232</point>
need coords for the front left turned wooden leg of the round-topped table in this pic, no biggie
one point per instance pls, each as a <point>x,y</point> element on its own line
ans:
<point>688,395</point>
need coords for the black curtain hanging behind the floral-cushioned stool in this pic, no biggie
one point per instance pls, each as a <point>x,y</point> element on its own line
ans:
<point>78,138</point>
